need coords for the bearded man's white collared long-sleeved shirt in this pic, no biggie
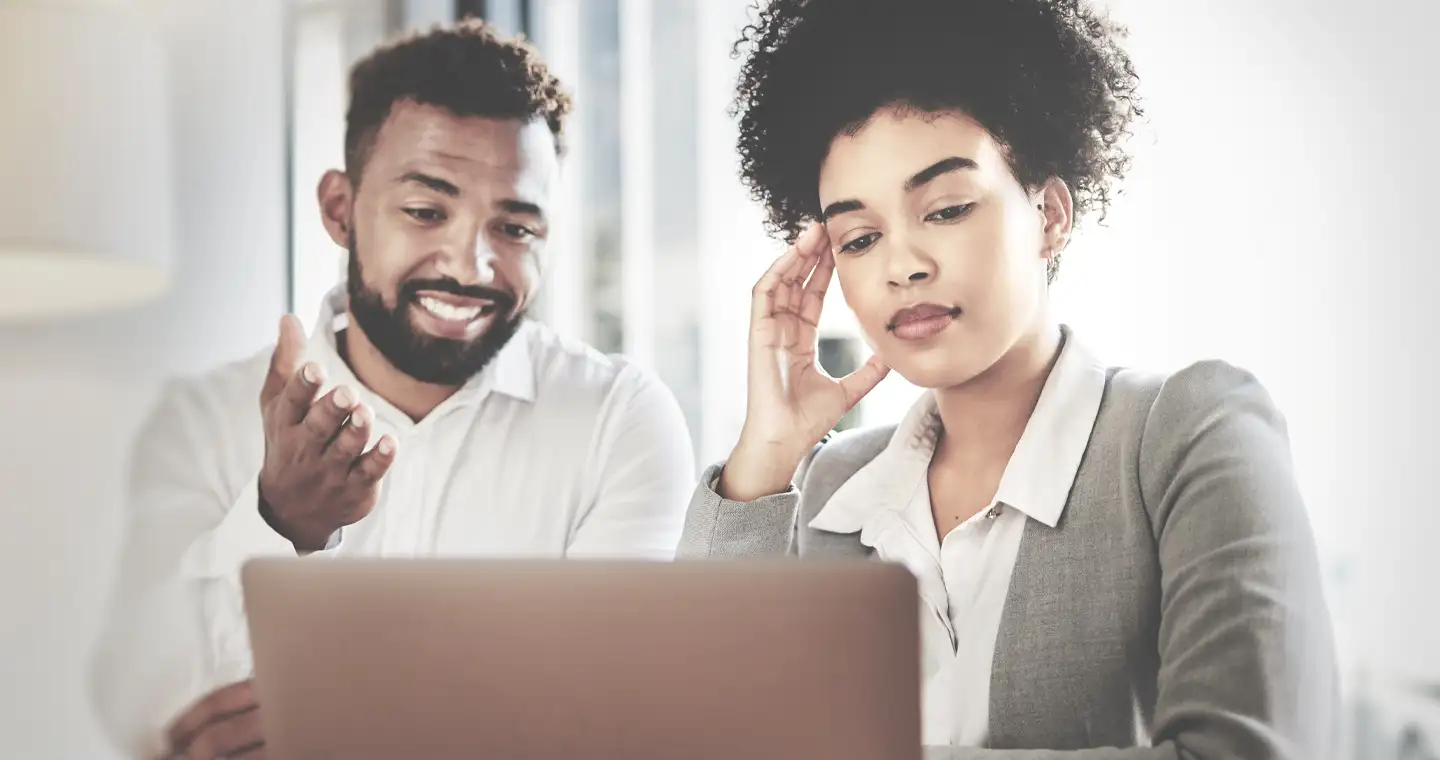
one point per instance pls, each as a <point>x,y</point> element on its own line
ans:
<point>552,451</point>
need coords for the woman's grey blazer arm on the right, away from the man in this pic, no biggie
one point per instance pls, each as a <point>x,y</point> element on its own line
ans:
<point>1248,664</point>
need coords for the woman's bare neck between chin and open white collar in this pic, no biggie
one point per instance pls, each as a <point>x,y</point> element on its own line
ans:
<point>986,417</point>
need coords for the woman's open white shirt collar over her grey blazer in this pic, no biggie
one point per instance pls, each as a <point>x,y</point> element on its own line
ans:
<point>1038,479</point>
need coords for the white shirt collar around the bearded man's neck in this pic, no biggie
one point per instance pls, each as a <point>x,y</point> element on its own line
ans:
<point>512,374</point>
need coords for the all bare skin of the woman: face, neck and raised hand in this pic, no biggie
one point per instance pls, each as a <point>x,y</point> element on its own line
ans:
<point>918,208</point>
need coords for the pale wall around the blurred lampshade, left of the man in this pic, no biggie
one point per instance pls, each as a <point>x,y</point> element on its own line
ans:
<point>73,394</point>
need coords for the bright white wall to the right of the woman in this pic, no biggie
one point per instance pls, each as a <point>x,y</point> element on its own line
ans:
<point>1279,220</point>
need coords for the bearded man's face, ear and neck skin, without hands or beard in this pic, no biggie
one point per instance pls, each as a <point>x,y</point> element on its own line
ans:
<point>485,222</point>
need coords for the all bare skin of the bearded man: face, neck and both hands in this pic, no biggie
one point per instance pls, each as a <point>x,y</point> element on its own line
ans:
<point>441,198</point>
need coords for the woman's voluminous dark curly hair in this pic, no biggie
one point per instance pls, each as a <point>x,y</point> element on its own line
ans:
<point>1048,78</point>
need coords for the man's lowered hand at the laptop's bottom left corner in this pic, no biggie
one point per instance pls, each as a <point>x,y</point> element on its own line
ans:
<point>225,726</point>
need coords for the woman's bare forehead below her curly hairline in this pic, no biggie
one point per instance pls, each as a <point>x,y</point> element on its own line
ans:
<point>895,145</point>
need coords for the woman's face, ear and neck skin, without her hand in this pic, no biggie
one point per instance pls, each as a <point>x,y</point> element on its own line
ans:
<point>964,234</point>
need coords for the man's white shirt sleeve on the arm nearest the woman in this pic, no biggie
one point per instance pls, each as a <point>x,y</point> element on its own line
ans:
<point>644,474</point>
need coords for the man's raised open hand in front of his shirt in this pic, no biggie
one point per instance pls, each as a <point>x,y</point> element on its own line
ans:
<point>318,476</point>
